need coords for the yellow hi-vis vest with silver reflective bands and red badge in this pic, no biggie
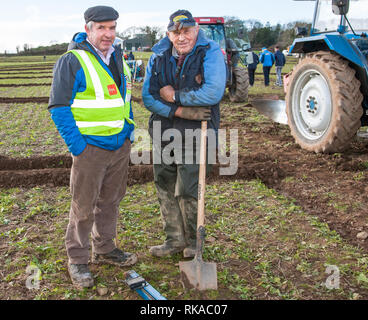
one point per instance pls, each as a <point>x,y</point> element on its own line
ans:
<point>100,110</point>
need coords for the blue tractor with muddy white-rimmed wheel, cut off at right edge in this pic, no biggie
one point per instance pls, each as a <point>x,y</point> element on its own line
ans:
<point>327,91</point>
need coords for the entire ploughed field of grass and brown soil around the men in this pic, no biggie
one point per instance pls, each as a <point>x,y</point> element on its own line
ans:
<point>288,224</point>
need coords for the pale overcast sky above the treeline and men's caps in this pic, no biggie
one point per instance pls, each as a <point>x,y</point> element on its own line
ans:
<point>41,22</point>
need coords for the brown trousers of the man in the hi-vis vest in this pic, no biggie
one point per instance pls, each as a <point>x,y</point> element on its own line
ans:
<point>97,185</point>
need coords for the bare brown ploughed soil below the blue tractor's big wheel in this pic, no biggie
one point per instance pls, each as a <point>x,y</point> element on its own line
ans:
<point>332,187</point>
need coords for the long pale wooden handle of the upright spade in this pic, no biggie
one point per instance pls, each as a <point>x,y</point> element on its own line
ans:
<point>202,175</point>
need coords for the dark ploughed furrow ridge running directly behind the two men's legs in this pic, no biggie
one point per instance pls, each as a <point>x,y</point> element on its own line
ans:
<point>55,171</point>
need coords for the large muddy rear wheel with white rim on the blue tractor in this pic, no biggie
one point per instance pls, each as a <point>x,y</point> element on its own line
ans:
<point>323,103</point>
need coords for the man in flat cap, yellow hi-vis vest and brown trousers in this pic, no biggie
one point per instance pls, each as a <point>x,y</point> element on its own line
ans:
<point>90,106</point>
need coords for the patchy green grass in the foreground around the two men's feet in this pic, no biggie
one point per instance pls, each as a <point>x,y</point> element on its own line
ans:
<point>264,245</point>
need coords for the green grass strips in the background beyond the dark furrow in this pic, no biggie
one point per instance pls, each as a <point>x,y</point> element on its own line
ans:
<point>36,135</point>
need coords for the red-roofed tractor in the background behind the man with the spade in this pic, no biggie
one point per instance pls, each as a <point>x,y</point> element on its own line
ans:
<point>233,48</point>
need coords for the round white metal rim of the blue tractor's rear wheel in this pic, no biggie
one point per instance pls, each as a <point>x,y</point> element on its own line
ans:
<point>312,105</point>
